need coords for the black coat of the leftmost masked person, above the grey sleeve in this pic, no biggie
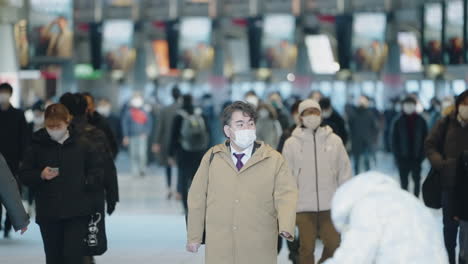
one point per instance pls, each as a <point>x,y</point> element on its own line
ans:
<point>14,135</point>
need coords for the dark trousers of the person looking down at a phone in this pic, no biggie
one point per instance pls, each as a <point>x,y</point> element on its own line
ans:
<point>63,240</point>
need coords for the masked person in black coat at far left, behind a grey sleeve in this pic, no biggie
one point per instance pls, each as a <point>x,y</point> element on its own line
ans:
<point>14,136</point>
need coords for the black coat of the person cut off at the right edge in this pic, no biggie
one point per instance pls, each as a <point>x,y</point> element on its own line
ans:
<point>461,185</point>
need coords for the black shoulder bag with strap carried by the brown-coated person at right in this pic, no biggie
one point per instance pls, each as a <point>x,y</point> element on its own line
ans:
<point>432,186</point>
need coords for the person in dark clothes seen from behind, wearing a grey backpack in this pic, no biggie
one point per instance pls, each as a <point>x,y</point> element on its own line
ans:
<point>189,141</point>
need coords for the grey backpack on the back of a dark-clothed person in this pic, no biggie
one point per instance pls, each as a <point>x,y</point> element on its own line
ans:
<point>193,134</point>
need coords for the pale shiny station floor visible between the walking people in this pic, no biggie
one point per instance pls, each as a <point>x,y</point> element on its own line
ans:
<point>146,228</point>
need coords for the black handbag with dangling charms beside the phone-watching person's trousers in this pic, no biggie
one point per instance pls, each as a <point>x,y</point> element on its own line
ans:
<point>96,240</point>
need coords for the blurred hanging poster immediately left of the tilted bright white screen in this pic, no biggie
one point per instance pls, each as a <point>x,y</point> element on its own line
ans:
<point>279,50</point>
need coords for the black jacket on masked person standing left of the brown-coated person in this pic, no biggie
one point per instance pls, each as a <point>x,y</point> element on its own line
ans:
<point>404,147</point>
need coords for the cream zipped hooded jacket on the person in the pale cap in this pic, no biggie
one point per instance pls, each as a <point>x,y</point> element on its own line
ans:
<point>320,163</point>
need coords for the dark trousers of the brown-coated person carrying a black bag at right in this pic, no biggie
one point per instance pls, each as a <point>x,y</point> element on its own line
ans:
<point>450,225</point>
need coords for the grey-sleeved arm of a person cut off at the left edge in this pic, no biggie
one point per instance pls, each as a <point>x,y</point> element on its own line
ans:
<point>11,199</point>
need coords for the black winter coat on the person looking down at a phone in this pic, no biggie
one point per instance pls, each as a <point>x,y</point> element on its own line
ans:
<point>68,195</point>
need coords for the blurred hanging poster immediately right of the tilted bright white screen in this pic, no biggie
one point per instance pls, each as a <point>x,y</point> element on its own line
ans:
<point>369,49</point>
